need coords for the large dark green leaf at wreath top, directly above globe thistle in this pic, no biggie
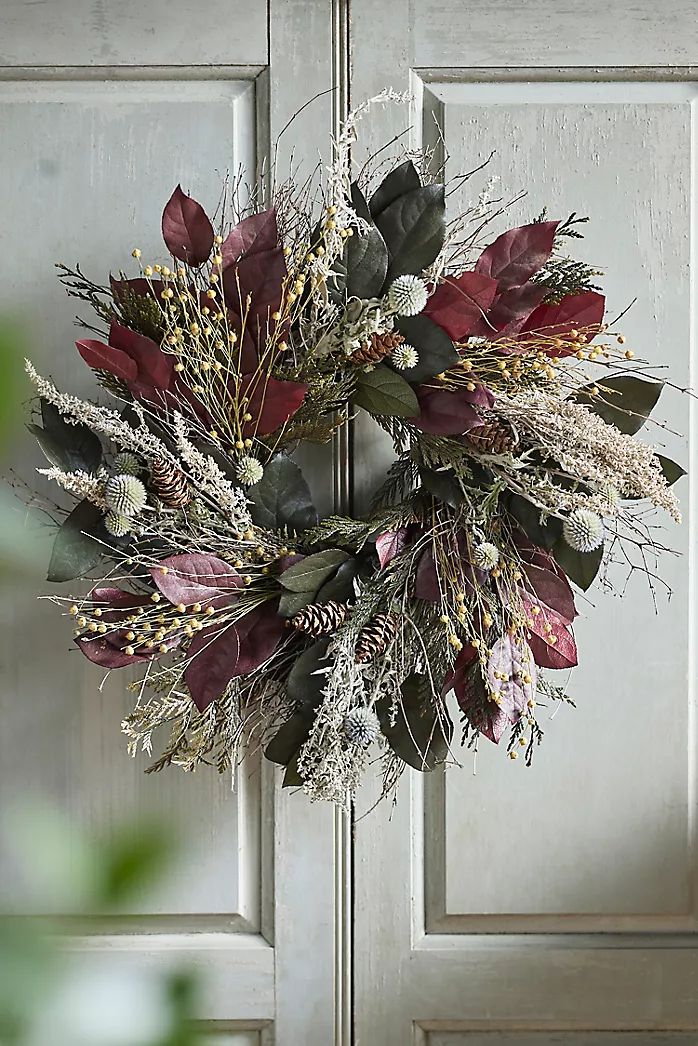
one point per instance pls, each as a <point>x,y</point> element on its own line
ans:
<point>414,229</point>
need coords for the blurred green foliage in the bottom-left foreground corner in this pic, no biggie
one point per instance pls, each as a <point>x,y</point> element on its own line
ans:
<point>57,994</point>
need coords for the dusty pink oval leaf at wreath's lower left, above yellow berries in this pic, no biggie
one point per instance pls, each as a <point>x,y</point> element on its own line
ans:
<point>197,578</point>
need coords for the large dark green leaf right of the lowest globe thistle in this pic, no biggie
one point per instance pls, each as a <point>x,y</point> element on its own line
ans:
<point>418,734</point>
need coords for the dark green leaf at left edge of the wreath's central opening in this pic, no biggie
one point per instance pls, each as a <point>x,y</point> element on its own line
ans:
<point>282,497</point>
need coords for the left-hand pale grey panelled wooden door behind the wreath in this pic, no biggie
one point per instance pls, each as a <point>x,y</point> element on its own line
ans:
<point>104,109</point>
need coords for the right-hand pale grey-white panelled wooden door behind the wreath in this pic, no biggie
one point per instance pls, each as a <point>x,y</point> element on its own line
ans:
<point>555,905</point>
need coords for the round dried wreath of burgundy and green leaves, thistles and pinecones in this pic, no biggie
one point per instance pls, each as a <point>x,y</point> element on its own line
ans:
<point>513,407</point>
